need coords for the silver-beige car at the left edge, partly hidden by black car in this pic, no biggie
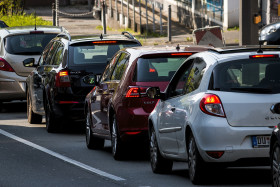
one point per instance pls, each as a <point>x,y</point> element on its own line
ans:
<point>16,45</point>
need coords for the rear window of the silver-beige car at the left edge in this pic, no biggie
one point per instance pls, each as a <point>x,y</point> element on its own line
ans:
<point>27,44</point>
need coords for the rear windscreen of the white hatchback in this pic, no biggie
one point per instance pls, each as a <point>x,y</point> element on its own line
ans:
<point>247,75</point>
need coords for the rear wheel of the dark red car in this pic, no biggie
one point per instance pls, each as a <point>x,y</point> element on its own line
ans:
<point>117,144</point>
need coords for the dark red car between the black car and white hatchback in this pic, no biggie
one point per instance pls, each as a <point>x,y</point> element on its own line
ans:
<point>117,108</point>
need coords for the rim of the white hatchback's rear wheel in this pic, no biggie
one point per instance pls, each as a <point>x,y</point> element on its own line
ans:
<point>192,158</point>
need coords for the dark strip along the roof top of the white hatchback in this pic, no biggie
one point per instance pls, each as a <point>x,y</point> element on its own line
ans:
<point>239,49</point>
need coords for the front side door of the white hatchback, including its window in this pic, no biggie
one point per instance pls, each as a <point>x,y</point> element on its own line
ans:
<point>172,115</point>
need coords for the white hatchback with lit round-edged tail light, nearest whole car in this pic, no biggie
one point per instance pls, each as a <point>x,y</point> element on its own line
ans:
<point>218,109</point>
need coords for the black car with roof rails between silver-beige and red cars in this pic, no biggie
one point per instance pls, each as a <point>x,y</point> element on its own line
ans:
<point>66,72</point>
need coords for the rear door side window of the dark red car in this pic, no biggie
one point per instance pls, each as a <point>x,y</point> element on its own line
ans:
<point>120,66</point>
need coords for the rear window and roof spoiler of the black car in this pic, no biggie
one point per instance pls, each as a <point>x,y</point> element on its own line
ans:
<point>84,54</point>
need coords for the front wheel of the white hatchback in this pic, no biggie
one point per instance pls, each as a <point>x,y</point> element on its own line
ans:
<point>158,163</point>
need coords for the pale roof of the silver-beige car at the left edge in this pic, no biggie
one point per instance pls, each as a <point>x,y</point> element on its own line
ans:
<point>27,29</point>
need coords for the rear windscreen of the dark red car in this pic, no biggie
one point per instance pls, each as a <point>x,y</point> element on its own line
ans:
<point>157,69</point>
